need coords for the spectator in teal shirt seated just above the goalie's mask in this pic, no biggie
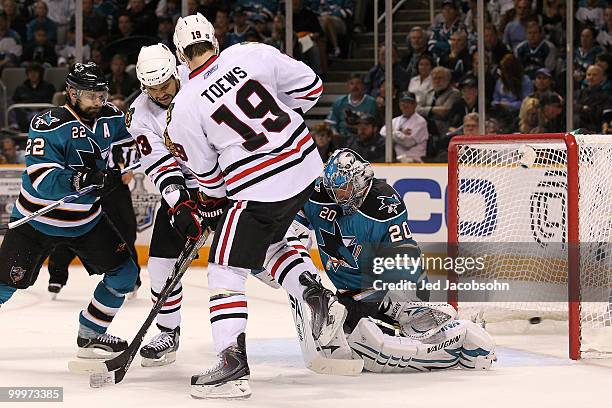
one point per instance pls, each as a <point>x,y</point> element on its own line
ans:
<point>355,101</point>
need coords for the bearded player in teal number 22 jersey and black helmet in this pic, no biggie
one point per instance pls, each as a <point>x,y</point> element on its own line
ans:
<point>66,151</point>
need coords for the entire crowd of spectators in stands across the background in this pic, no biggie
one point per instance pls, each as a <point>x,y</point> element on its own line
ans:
<point>435,87</point>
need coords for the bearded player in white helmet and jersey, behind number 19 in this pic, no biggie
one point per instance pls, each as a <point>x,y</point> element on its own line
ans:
<point>146,121</point>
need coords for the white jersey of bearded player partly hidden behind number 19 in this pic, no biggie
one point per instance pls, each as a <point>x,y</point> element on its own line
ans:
<point>146,122</point>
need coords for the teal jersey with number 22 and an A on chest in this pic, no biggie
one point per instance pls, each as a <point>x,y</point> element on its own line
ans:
<point>59,144</point>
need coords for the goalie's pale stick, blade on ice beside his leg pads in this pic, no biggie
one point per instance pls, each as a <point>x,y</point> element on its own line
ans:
<point>316,355</point>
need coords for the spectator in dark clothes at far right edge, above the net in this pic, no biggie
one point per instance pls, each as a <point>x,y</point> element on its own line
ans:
<point>591,101</point>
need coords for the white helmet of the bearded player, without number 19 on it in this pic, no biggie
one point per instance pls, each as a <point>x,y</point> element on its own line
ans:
<point>156,64</point>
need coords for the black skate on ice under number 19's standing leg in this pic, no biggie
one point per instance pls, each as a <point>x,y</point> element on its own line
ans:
<point>228,379</point>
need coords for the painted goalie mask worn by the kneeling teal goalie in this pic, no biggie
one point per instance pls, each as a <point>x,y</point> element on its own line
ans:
<point>347,178</point>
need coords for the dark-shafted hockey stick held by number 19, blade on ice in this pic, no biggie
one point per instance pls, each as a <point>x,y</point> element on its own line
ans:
<point>112,371</point>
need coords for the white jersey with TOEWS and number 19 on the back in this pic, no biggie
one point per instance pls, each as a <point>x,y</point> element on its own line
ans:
<point>239,117</point>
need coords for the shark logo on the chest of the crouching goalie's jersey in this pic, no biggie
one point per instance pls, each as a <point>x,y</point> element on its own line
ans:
<point>341,250</point>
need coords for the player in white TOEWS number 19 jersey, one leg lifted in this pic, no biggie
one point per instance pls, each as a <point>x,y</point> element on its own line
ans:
<point>239,119</point>
